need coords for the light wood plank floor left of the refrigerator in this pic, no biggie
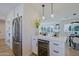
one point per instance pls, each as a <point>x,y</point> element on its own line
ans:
<point>4,50</point>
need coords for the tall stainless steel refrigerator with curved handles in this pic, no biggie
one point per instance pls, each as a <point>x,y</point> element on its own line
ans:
<point>17,36</point>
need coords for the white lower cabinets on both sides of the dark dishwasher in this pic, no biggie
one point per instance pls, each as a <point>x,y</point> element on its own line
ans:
<point>56,47</point>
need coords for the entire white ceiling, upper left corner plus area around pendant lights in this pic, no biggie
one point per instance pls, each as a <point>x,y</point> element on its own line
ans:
<point>61,10</point>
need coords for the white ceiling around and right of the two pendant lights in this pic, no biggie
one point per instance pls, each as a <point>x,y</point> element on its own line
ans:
<point>62,11</point>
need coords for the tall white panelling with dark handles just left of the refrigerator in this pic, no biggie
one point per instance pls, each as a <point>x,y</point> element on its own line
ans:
<point>8,24</point>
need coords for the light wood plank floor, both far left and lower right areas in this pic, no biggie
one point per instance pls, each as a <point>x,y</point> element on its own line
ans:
<point>6,51</point>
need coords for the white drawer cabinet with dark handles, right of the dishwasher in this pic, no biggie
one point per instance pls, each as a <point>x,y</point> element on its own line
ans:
<point>57,48</point>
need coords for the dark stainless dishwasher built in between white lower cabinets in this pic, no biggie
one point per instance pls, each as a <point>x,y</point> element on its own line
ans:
<point>43,47</point>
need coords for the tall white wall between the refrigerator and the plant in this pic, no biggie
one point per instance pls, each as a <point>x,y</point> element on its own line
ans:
<point>30,13</point>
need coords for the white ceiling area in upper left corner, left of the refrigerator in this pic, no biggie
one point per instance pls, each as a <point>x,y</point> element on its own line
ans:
<point>5,9</point>
